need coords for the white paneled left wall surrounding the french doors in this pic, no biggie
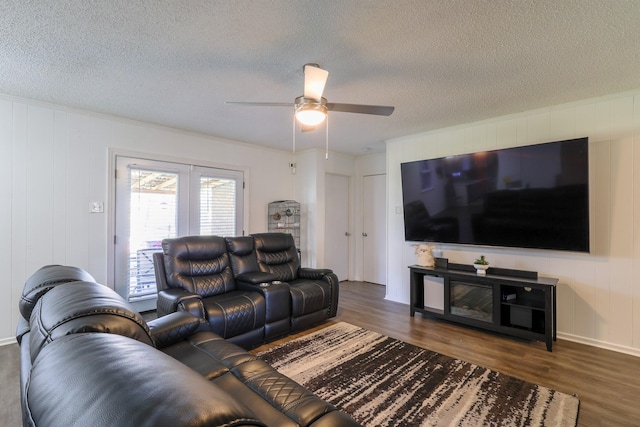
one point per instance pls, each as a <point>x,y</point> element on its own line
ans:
<point>54,161</point>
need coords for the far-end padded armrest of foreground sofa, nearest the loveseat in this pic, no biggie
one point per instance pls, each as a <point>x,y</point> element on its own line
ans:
<point>175,327</point>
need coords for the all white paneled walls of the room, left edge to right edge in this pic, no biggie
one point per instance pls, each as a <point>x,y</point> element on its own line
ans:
<point>54,161</point>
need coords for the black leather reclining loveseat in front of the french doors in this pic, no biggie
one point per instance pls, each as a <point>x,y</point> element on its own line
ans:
<point>251,289</point>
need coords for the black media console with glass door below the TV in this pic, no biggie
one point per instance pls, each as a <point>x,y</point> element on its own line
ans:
<point>512,302</point>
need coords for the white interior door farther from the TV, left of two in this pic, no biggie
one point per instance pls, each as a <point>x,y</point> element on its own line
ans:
<point>336,248</point>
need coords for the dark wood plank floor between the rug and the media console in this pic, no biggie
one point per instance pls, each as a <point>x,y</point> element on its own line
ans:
<point>607,383</point>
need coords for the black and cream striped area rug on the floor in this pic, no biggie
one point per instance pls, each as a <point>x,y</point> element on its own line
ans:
<point>381,381</point>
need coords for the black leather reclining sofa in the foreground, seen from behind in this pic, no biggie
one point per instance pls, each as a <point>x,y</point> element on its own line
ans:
<point>89,359</point>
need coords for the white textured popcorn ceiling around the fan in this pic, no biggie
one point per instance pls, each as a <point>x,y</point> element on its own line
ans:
<point>440,63</point>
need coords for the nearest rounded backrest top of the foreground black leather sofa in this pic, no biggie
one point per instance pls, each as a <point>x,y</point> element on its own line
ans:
<point>153,388</point>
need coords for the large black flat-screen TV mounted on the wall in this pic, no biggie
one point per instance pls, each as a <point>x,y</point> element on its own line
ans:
<point>535,196</point>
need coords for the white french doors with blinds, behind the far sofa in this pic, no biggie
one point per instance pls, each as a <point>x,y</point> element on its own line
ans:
<point>157,200</point>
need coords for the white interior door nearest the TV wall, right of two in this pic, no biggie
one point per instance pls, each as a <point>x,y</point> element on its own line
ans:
<point>374,234</point>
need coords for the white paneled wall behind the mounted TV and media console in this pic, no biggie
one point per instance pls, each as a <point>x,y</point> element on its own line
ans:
<point>598,293</point>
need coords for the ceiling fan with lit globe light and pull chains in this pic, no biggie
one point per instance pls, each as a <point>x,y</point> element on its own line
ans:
<point>311,108</point>
